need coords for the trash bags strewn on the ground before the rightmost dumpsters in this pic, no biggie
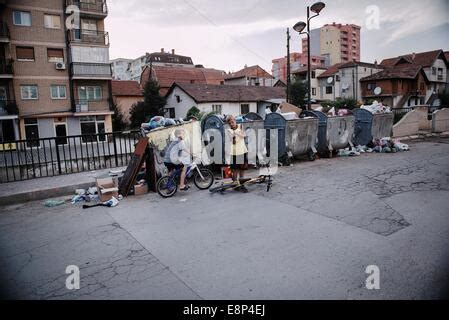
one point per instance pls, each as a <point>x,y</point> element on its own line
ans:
<point>384,145</point>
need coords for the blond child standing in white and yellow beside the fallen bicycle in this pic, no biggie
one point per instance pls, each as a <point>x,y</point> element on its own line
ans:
<point>238,151</point>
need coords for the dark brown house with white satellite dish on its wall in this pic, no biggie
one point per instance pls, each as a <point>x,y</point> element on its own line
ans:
<point>398,86</point>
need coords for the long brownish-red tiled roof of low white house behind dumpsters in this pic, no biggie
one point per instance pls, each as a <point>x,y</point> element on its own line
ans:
<point>223,93</point>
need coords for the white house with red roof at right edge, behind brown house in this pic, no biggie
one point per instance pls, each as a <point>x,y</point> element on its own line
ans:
<point>435,65</point>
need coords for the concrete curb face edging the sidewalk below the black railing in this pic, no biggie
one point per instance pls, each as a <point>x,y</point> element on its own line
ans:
<point>42,194</point>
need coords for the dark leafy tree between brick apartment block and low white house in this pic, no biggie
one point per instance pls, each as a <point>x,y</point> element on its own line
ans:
<point>153,105</point>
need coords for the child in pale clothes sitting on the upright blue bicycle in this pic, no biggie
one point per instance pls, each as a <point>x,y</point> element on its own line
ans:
<point>178,157</point>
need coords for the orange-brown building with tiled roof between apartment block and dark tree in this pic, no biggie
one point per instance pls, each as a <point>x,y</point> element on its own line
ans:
<point>125,94</point>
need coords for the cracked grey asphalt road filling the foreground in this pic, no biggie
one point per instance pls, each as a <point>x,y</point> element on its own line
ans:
<point>311,237</point>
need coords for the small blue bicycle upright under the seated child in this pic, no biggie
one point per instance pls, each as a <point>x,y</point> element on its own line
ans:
<point>167,186</point>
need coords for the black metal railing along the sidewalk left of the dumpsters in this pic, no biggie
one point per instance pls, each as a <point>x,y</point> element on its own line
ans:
<point>34,158</point>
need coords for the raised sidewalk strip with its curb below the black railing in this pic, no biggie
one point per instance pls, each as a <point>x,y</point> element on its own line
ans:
<point>49,187</point>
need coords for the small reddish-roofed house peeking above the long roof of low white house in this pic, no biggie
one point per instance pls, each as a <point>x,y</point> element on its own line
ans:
<point>250,76</point>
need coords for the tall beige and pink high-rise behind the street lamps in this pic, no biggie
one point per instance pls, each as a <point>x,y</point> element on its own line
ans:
<point>338,43</point>
